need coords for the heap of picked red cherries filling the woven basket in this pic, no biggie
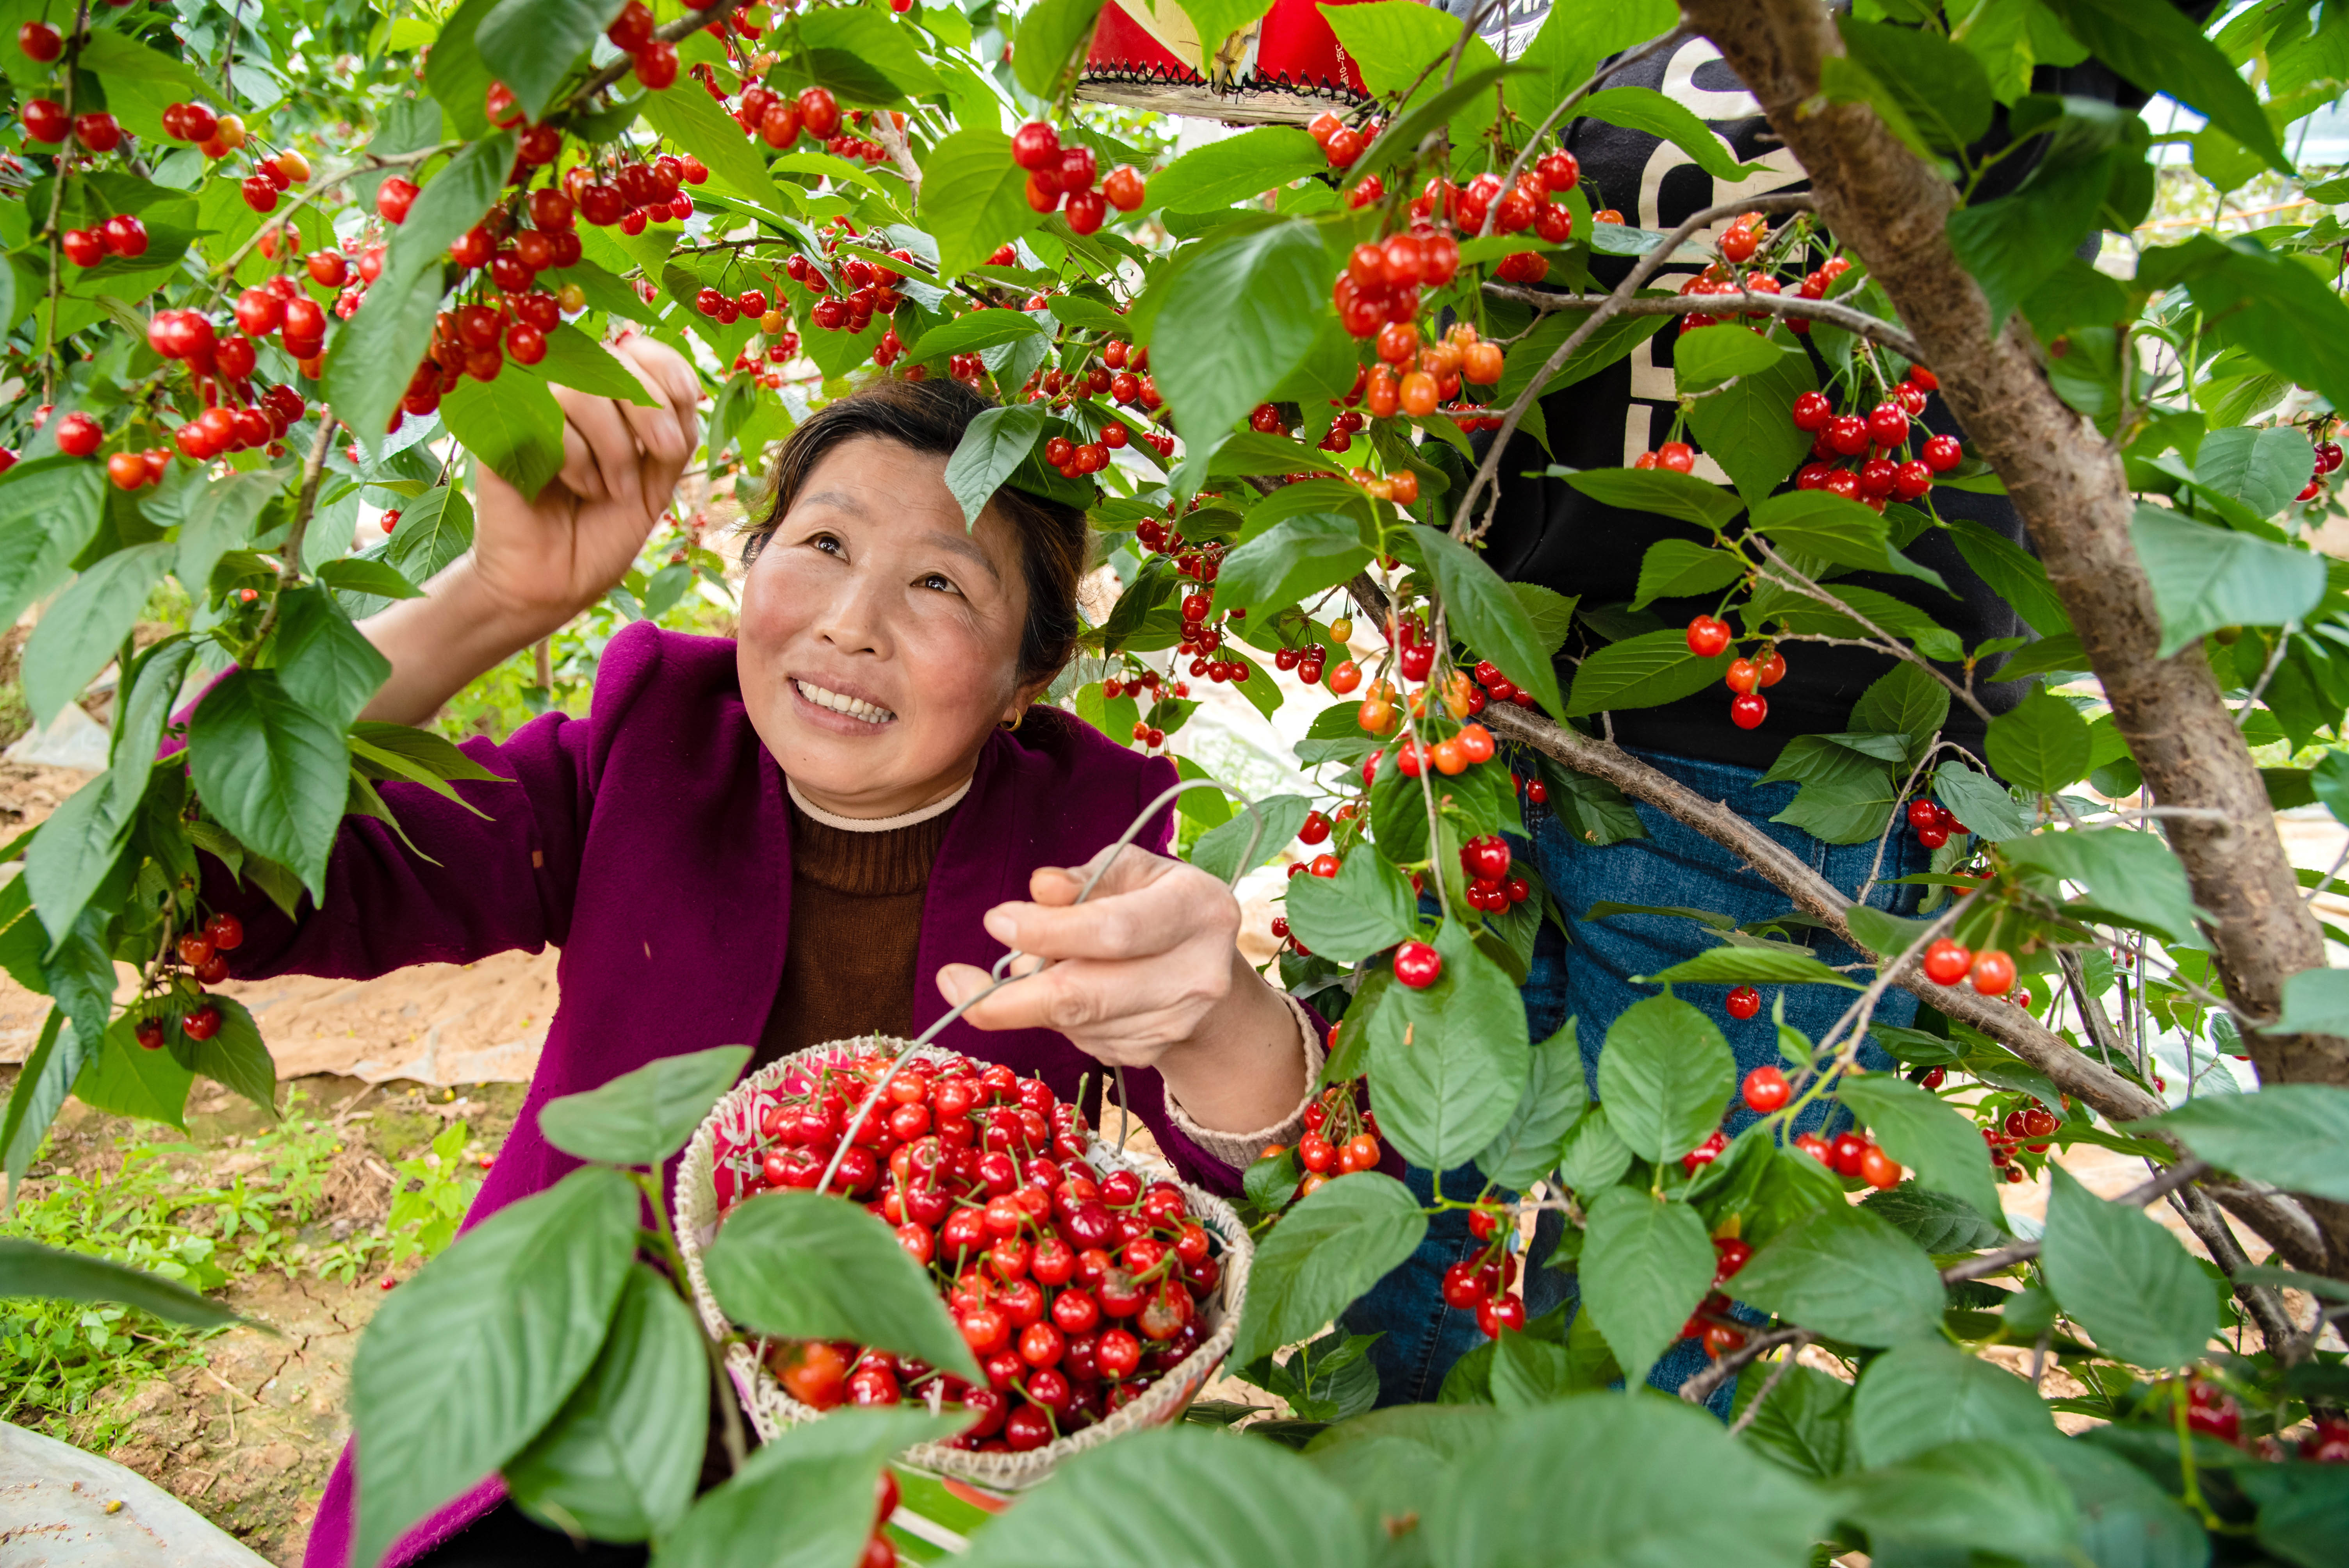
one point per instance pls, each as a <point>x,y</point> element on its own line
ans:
<point>1075,1290</point>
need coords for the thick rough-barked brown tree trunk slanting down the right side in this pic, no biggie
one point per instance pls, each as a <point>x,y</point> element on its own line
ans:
<point>1890,205</point>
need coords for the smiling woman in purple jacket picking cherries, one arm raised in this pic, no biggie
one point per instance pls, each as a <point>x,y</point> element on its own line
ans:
<point>814,832</point>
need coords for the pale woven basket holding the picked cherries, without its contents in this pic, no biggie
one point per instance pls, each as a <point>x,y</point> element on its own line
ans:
<point>720,1163</point>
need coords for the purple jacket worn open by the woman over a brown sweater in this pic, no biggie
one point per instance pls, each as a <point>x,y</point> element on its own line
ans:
<point>652,844</point>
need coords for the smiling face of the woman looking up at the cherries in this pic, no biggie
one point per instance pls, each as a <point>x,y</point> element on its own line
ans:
<point>880,637</point>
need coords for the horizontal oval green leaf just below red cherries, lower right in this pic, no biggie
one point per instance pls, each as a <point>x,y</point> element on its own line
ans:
<point>1850,1276</point>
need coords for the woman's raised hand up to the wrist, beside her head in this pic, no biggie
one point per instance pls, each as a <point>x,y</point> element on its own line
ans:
<point>546,560</point>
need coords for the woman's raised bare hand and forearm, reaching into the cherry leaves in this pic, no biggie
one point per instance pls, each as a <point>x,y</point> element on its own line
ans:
<point>539,562</point>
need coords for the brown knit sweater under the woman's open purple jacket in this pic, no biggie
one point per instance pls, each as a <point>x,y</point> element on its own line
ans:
<point>856,926</point>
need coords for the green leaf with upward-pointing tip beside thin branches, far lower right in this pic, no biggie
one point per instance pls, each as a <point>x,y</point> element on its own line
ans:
<point>2125,1278</point>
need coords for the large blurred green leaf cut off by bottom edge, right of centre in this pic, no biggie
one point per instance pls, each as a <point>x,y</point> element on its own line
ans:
<point>1620,1482</point>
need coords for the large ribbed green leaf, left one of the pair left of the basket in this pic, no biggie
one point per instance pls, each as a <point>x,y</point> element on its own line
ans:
<point>466,1363</point>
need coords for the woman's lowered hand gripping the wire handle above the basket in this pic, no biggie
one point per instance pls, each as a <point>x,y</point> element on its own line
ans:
<point>1147,975</point>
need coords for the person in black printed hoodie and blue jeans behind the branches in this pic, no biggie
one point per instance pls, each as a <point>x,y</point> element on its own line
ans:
<point>1554,536</point>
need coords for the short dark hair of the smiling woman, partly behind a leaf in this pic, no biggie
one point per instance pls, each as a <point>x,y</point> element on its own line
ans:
<point>931,417</point>
